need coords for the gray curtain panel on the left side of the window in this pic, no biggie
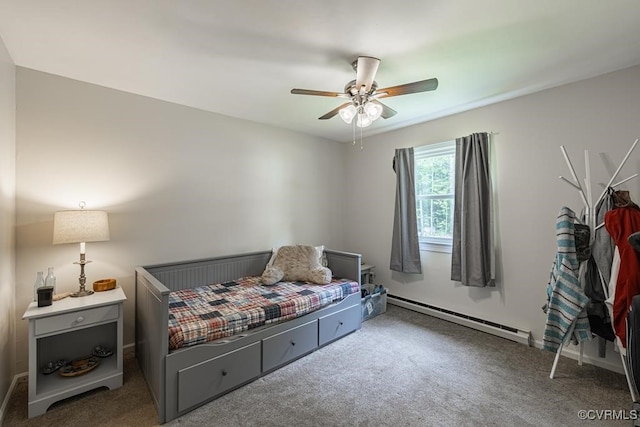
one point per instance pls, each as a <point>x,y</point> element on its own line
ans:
<point>405,249</point>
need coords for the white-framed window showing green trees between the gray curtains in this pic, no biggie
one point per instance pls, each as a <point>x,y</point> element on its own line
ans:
<point>435,188</point>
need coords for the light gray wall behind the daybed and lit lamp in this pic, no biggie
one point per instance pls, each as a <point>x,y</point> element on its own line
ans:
<point>178,183</point>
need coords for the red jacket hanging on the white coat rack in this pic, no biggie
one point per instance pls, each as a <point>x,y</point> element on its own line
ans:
<point>620,223</point>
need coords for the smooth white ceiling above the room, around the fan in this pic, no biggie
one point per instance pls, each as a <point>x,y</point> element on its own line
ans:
<point>241,58</point>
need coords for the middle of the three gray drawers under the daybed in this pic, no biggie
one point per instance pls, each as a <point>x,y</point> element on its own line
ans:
<point>288,345</point>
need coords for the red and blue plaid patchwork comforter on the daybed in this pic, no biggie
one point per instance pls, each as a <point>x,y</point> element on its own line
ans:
<point>211,312</point>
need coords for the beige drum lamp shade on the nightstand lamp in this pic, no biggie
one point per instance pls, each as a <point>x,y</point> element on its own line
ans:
<point>79,226</point>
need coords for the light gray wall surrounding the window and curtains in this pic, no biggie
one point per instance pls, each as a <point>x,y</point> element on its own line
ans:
<point>599,115</point>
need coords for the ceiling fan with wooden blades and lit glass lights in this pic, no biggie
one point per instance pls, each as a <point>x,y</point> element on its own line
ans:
<point>364,95</point>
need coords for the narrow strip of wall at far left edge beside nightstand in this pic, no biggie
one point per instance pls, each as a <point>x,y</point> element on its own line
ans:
<point>7,222</point>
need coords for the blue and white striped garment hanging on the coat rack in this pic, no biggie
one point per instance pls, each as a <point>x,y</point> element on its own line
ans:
<point>566,300</point>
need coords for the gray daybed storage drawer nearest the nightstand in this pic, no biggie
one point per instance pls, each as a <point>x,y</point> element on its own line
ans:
<point>198,383</point>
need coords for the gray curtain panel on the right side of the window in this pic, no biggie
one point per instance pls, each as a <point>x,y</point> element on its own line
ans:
<point>473,255</point>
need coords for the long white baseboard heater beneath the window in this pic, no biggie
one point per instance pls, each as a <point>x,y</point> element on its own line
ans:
<point>503,331</point>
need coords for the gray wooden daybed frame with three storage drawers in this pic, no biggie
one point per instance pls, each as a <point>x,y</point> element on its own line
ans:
<point>183,379</point>
